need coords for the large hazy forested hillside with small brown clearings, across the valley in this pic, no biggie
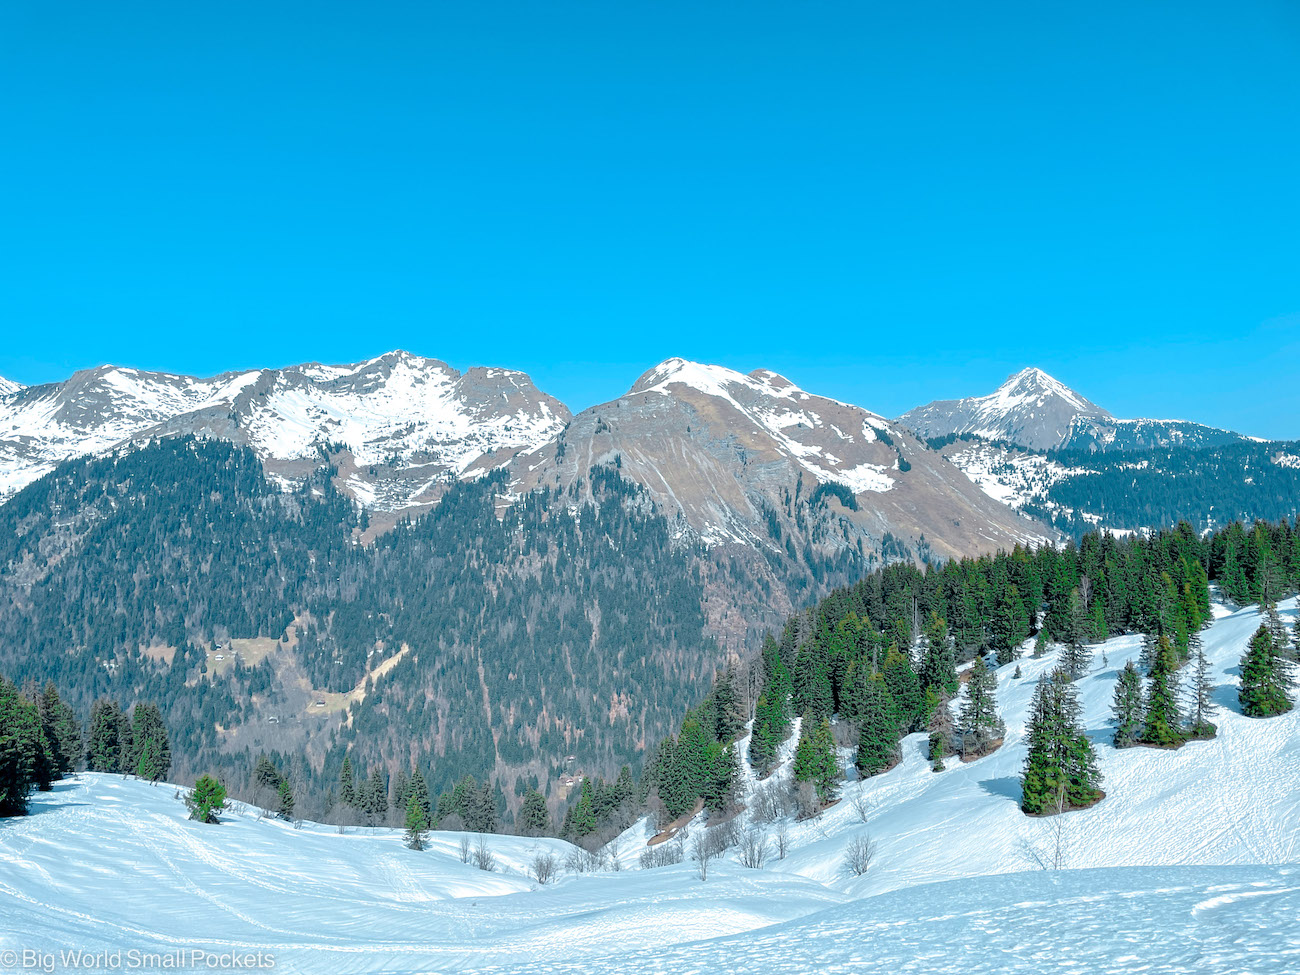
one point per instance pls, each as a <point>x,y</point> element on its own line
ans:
<point>462,642</point>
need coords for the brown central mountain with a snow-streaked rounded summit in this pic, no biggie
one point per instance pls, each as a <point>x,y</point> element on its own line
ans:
<point>804,491</point>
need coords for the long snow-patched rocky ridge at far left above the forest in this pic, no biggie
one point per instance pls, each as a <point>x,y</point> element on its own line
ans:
<point>397,426</point>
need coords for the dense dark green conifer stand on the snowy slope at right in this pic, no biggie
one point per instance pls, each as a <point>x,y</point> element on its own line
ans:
<point>882,658</point>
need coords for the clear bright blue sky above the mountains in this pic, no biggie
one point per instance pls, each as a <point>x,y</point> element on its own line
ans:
<point>889,203</point>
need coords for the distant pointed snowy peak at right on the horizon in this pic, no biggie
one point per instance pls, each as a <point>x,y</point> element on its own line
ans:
<point>1038,411</point>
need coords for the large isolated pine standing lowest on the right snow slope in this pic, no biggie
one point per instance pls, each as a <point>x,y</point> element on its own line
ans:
<point>1061,769</point>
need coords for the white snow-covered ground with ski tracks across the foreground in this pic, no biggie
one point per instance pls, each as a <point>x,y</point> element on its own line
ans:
<point>1182,868</point>
